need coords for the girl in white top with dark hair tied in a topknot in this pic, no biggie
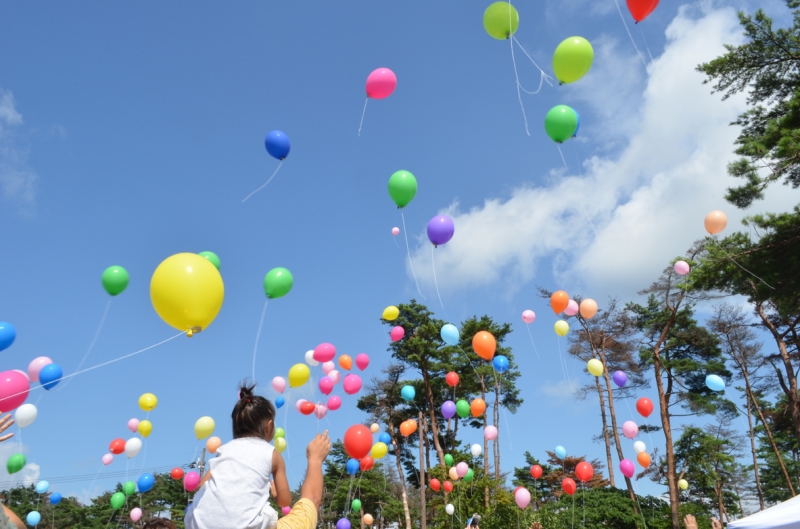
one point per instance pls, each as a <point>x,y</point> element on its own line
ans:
<point>235,490</point>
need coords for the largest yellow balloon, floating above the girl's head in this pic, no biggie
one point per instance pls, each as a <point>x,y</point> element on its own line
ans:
<point>187,291</point>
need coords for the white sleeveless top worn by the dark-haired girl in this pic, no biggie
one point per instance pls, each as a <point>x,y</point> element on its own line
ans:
<point>237,494</point>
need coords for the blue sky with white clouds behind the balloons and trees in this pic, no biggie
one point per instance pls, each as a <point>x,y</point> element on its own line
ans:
<point>129,134</point>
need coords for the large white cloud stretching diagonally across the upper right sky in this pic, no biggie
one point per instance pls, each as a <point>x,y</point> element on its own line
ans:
<point>646,204</point>
